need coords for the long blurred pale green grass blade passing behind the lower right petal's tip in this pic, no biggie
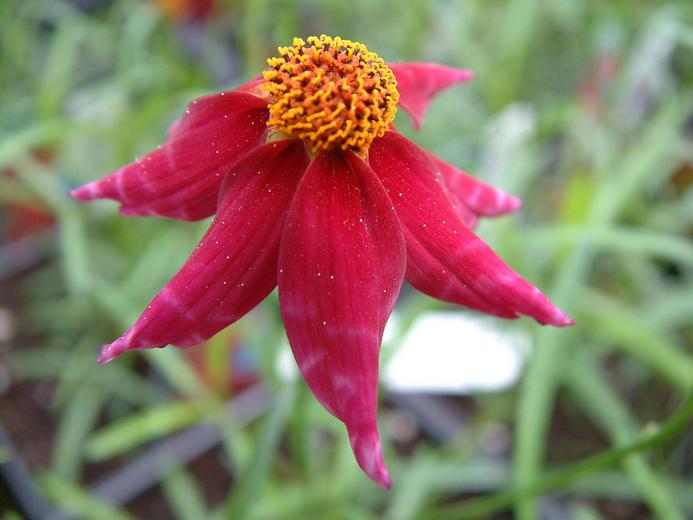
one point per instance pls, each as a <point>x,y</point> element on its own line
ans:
<point>650,156</point>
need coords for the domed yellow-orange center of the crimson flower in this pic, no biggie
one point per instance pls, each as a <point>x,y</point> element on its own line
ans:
<point>331,93</point>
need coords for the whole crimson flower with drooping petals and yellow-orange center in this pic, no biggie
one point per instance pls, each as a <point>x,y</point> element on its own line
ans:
<point>315,192</point>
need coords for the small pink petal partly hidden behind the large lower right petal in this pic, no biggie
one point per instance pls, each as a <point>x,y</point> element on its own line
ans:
<point>481,198</point>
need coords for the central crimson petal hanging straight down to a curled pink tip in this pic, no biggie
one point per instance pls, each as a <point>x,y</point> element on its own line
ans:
<point>342,262</point>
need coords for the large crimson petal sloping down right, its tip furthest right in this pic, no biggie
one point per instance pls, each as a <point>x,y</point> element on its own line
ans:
<point>445,259</point>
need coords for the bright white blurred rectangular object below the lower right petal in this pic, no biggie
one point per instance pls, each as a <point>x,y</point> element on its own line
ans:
<point>453,353</point>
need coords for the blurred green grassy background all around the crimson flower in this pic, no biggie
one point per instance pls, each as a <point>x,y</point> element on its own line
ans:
<point>582,108</point>
